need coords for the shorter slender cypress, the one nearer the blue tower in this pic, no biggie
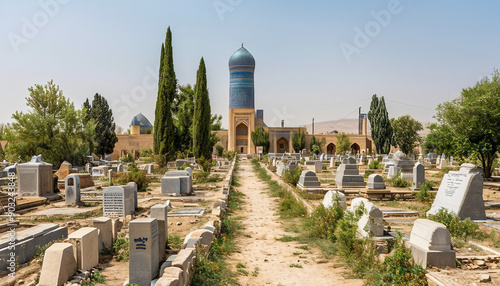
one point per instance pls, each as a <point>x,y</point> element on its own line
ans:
<point>202,115</point>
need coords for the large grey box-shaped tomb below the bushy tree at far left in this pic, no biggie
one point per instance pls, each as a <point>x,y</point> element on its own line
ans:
<point>35,178</point>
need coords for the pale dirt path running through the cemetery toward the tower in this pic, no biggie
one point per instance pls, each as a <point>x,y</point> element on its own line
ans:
<point>273,258</point>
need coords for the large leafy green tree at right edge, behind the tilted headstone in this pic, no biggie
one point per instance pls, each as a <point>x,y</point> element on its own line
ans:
<point>473,122</point>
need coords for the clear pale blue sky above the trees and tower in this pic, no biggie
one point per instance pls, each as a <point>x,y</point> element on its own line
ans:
<point>320,59</point>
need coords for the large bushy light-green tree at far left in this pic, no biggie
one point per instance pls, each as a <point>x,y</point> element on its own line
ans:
<point>52,127</point>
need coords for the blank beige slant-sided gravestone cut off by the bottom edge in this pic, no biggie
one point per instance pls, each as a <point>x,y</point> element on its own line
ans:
<point>59,265</point>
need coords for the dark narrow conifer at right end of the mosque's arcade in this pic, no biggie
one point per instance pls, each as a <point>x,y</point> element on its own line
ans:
<point>381,128</point>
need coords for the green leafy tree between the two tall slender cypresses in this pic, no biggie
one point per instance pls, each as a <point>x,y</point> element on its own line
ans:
<point>183,118</point>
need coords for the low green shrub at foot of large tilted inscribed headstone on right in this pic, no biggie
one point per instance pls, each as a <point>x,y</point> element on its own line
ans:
<point>462,229</point>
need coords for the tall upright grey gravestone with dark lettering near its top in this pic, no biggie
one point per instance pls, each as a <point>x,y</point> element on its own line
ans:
<point>143,251</point>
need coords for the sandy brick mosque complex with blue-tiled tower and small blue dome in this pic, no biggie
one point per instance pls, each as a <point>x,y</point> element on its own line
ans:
<point>243,119</point>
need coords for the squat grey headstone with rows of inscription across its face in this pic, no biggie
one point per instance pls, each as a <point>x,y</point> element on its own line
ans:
<point>117,201</point>
